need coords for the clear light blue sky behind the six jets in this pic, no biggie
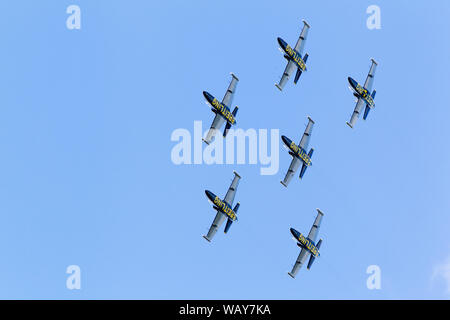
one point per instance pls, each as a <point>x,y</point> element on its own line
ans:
<point>86,176</point>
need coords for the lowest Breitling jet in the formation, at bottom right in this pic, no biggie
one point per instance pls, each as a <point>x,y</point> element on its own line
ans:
<point>307,245</point>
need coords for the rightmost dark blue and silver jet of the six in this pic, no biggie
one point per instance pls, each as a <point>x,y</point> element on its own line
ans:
<point>363,95</point>
